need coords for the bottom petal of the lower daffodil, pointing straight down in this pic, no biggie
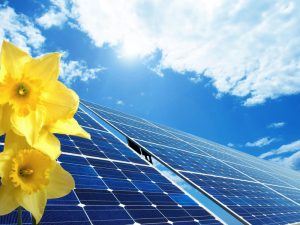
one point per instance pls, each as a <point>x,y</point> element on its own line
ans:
<point>34,203</point>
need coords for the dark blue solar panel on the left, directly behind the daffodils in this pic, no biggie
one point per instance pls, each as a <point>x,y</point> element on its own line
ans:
<point>115,186</point>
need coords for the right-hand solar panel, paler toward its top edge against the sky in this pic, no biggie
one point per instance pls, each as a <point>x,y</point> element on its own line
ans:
<point>253,190</point>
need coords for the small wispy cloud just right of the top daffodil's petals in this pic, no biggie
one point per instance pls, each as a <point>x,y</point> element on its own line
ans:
<point>72,70</point>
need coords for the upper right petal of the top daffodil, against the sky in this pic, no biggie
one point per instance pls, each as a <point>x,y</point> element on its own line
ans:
<point>44,69</point>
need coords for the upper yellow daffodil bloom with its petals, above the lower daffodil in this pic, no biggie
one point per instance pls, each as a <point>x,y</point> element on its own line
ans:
<point>33,103</point>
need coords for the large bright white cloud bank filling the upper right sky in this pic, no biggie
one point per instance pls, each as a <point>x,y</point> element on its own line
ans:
<point>247,48</point>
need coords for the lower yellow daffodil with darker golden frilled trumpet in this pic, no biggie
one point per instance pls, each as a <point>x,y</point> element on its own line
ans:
<point>29,177</point>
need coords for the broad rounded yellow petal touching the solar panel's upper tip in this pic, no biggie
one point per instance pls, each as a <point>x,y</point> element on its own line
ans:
<point>59,101</point>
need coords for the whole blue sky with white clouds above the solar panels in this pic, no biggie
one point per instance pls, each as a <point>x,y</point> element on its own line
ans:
<point>225,70</point>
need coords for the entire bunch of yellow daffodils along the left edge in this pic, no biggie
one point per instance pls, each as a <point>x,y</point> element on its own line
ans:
<point>33,106</point>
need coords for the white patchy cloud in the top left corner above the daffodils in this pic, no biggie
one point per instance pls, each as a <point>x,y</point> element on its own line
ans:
<point>18,29</point>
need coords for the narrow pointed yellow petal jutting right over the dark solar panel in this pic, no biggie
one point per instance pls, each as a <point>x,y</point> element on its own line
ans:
<point>69,126</point>
